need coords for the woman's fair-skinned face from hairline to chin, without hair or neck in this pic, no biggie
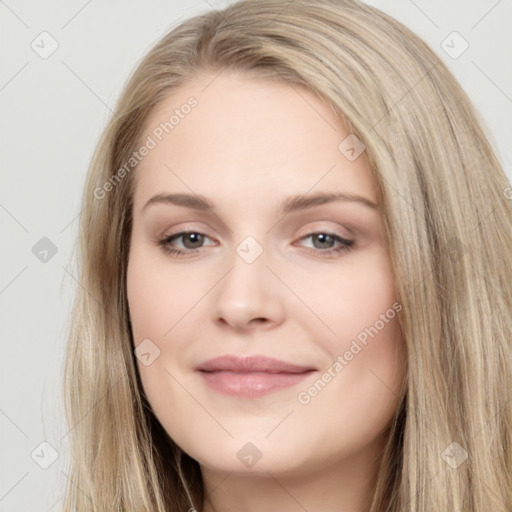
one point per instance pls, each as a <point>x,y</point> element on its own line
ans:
<point>275,268</point>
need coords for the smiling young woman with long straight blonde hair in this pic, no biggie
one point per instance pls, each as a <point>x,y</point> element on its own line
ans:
<point>221,357</point>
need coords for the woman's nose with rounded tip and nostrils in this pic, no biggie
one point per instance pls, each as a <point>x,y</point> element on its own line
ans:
<point>249,295</point>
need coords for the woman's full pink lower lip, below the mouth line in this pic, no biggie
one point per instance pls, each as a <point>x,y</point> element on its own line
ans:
<point>251,385</point>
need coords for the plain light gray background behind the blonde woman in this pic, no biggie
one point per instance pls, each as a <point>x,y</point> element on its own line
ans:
<point>53,111</point>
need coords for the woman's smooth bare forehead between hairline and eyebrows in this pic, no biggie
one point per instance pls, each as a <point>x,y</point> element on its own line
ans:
<point>232,134</point>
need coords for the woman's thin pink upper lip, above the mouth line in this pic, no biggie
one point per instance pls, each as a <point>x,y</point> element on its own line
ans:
<point>250,364</point>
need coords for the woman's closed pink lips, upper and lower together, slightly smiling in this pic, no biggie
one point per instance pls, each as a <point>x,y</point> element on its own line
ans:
<point>251,377</point>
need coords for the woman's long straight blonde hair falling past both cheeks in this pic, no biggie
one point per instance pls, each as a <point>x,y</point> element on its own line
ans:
<point>447,221</point>
